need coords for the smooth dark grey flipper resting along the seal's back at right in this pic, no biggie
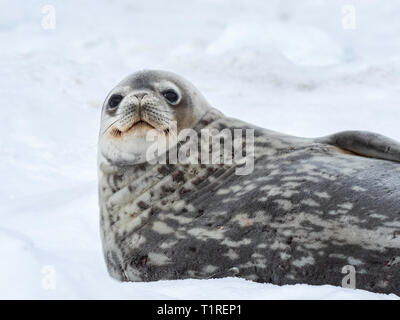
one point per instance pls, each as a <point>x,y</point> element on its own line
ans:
<point>365,143</point>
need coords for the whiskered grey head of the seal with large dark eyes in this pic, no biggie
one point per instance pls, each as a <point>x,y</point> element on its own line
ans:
<point>151,100</point>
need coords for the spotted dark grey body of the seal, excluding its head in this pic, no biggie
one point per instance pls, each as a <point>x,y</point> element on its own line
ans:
<point>306,210</point>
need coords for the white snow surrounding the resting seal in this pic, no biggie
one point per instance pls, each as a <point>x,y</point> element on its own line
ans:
<point>287,65</point>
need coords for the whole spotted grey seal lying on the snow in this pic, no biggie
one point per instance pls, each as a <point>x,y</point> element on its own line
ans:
<point>186,192</point>
